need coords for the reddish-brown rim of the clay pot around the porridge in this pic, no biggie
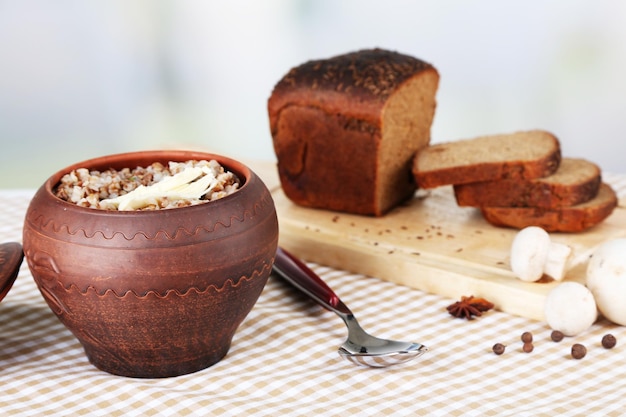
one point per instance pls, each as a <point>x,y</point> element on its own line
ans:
<point>144,158</point>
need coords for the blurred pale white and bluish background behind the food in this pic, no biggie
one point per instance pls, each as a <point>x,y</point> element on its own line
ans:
<point>80,79</point>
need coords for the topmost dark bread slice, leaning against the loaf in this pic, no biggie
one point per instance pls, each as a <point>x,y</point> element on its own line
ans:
<point>520,155</point>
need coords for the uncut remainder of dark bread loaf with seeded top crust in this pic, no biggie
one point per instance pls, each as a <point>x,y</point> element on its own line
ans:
<point>345,129</point>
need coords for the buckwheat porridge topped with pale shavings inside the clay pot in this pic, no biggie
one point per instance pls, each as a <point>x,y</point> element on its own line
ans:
<point>157,186</point>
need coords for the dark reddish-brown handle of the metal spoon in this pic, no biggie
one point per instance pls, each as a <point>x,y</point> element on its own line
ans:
<point>302,277</point>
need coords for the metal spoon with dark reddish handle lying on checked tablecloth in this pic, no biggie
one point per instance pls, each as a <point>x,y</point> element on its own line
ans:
<point>360,347</point>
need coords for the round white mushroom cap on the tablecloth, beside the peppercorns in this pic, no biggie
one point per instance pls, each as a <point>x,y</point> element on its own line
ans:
<point>570,308</point>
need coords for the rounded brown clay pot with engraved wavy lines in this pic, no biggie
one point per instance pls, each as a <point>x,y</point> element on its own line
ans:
<point>153,293</point>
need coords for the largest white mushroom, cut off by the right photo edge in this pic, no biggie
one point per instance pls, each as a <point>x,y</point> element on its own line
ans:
<point>606,278</point>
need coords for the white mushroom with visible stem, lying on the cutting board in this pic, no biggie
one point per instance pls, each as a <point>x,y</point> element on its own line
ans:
<point>533,254</point>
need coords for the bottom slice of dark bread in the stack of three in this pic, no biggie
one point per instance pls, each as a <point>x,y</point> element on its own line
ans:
<point>563,219</point>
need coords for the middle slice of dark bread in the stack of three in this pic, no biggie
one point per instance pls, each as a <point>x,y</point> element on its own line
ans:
<point>575,181</point>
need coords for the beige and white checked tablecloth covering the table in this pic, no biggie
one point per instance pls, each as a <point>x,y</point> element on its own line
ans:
<point>284,361</point>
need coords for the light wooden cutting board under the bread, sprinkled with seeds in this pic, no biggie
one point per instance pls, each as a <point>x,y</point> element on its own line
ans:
<point>433,245</point>
